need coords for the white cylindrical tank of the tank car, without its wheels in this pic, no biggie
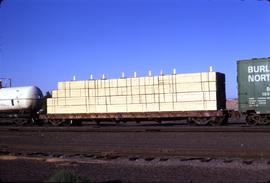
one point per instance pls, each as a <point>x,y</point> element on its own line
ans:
<point>27,99</point>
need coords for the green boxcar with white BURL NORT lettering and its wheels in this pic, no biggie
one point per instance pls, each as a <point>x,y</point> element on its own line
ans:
<point>253,77</point>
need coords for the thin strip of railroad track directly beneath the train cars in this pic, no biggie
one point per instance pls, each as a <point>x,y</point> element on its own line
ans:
<point>242,128</point>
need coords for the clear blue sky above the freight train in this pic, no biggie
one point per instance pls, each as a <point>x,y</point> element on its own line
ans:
<point>46,41</point>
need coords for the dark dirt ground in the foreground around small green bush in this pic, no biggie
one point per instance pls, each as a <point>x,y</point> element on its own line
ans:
<point>40,169</point>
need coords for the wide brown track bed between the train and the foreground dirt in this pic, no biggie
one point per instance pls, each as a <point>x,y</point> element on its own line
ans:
<point>137,141</point>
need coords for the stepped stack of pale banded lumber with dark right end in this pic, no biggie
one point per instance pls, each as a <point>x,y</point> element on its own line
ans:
<point>177,92</point>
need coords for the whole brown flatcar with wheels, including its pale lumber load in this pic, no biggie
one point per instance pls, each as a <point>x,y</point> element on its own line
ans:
<point>197,97</point>
